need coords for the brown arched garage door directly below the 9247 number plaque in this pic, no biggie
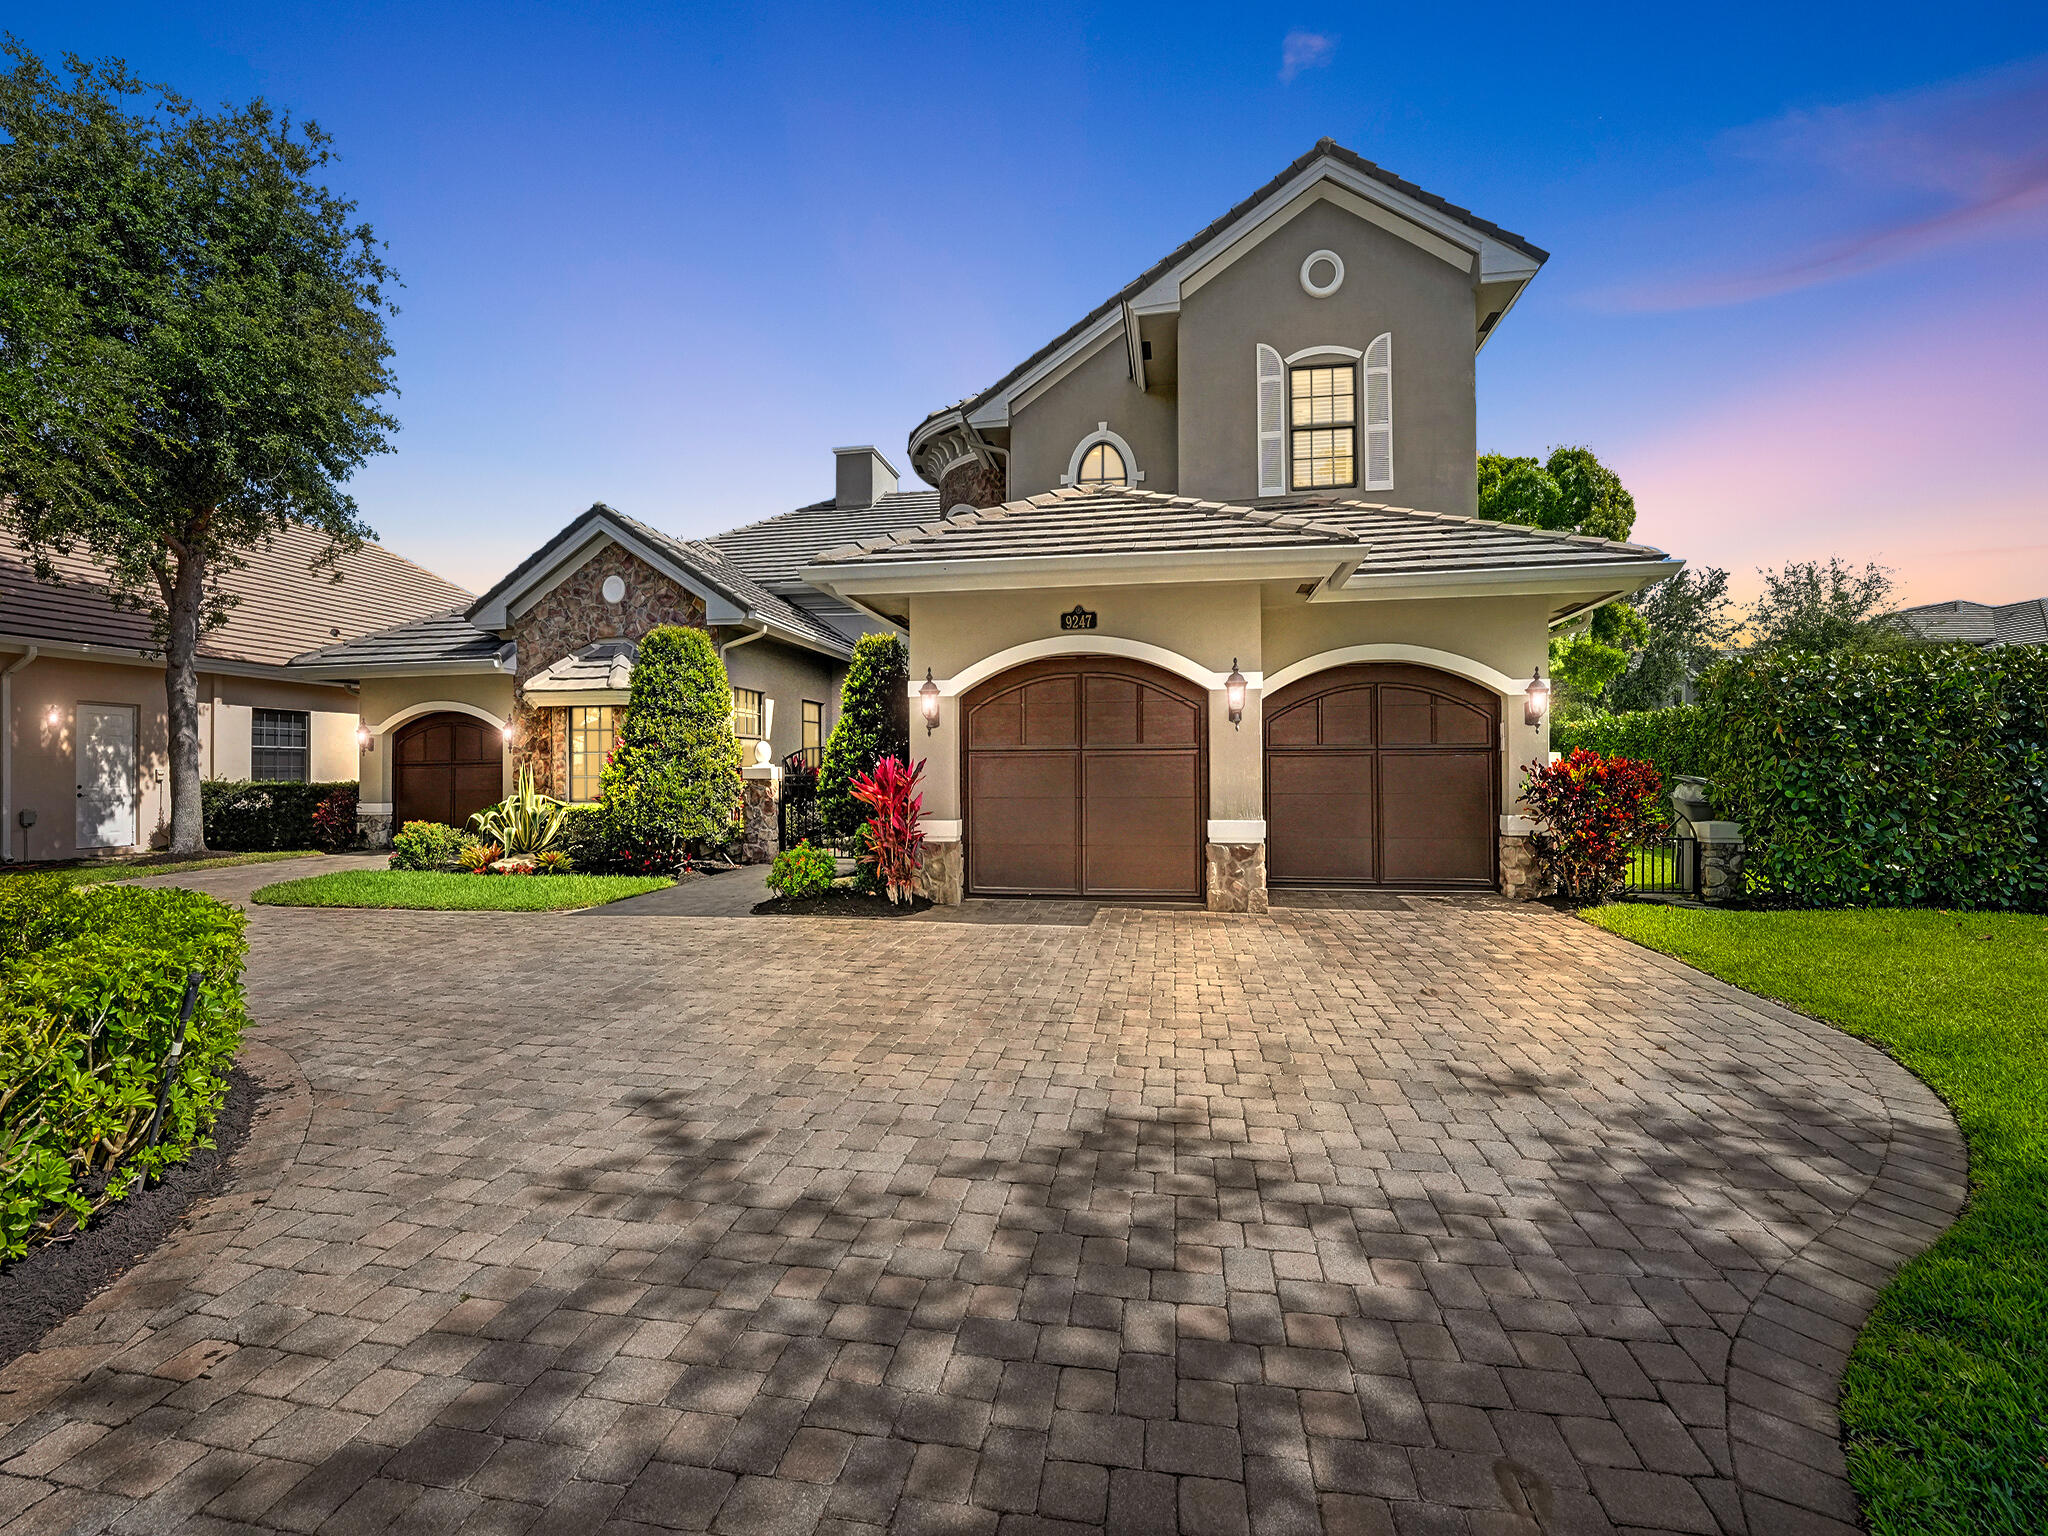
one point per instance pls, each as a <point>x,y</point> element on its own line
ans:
<point>1084,777</point>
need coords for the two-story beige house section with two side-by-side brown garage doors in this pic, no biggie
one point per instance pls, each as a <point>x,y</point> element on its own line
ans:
<point>1248,470</point>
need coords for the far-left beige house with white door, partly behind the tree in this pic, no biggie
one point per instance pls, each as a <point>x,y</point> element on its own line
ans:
<point>85,744</point>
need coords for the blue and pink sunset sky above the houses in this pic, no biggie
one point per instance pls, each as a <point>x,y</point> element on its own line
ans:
<point>669,257</point>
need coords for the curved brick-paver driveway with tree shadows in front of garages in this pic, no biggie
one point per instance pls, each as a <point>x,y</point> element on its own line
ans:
<point>1424,1220</point>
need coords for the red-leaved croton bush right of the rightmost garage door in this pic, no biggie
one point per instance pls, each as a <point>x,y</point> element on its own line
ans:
<point>1592,816</point>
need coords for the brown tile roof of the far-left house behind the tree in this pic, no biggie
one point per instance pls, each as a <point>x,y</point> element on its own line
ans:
<point>282,605</point>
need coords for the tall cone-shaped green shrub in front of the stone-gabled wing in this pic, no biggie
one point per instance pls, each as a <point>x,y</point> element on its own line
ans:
<point>675,777</point>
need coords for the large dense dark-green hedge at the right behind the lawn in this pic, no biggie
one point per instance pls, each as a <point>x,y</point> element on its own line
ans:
<point>1889,779</point>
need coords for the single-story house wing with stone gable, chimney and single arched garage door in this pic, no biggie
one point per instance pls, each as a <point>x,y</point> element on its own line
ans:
<point>540,669</point>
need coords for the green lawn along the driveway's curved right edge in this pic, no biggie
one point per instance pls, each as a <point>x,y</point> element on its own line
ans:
<point>1947,1396</point>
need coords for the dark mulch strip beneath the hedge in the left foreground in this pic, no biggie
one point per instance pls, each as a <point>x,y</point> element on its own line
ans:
<point>54,1281</point>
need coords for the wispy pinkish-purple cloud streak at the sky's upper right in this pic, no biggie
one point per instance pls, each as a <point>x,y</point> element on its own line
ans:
<point>1908,173</point>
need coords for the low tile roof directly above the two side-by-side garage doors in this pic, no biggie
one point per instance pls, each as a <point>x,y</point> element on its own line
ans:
<point>1123,521</point>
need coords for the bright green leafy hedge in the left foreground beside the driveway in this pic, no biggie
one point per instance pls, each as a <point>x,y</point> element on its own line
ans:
<point>89,1002</point>
